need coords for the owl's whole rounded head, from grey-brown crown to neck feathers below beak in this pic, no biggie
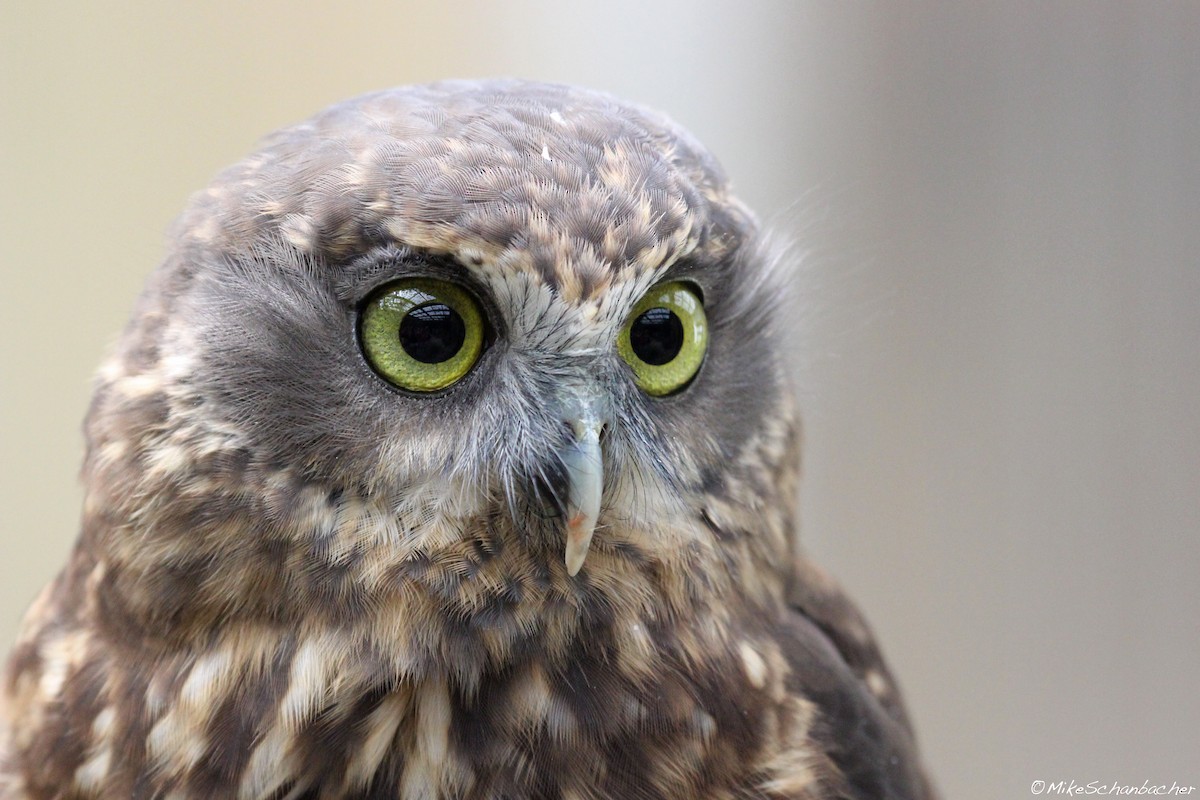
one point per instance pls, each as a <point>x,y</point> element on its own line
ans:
<point>442,320</point>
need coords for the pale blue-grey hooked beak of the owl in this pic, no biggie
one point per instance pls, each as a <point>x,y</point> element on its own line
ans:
<point>584,464</point>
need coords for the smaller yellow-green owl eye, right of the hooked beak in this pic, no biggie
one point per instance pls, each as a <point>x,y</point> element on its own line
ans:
<point>665,339</point>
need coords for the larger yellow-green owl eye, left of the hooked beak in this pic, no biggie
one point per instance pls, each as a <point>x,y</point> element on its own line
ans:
<point>422,334</point>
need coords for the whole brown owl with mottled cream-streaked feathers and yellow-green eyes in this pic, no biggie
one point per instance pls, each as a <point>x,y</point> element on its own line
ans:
<point>451,454</point>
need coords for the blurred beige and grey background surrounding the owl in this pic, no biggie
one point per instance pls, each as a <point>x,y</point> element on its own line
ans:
<point>1001,330</point>
